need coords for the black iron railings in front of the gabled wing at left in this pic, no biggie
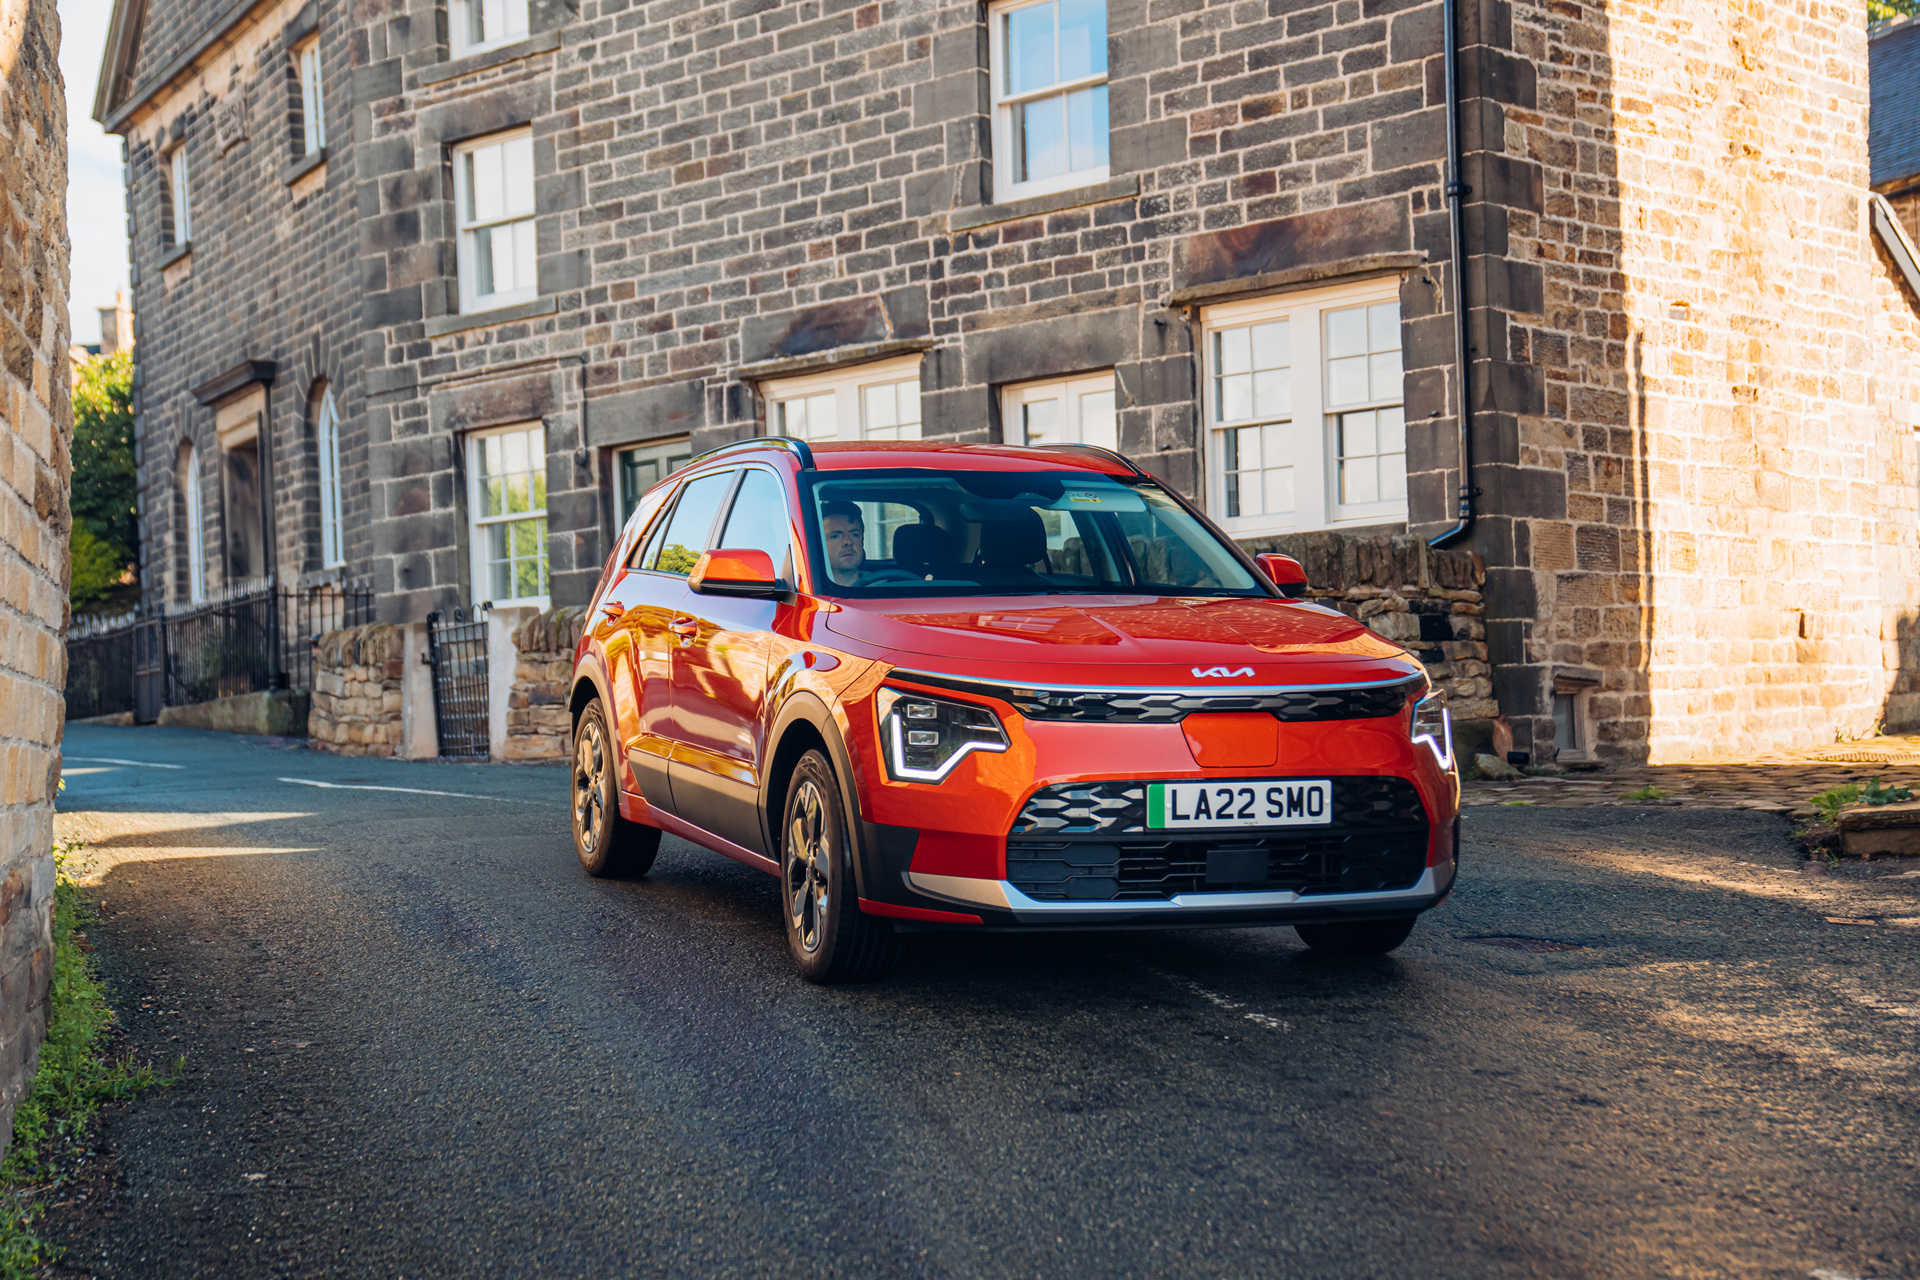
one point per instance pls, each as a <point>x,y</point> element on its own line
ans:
<point>251,638</point>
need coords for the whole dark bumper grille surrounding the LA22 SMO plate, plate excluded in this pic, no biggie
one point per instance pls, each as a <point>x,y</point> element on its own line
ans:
<point>1088,843</point>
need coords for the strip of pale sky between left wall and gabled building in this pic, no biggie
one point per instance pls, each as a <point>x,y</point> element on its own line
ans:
<point>97,202</point>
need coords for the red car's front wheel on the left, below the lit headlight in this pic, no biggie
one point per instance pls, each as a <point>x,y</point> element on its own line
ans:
<point>830,937</point>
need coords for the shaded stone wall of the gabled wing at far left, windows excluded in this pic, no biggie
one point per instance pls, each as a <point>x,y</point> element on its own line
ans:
<point>266,277</point>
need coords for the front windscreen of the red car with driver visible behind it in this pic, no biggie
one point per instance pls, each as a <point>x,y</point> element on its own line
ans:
<point>974,533</point>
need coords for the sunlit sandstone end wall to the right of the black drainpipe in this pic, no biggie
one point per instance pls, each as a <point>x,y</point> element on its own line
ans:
<point>1704,479</point>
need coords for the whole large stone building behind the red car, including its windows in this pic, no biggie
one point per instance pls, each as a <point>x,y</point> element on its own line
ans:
<point>391,254</point>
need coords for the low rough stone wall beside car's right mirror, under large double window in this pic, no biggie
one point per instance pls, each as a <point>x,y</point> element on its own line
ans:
<point>1410,594</point>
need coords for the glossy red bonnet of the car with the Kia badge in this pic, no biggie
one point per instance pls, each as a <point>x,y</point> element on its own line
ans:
<point>1126,640</point>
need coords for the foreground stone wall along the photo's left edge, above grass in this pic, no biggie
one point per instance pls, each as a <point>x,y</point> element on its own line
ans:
<point>36,467</point>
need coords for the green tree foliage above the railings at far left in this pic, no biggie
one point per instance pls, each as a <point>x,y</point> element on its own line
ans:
<point>105,527</point>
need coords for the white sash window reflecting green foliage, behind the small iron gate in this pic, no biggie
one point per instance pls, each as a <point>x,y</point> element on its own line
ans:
<point>508,504</point>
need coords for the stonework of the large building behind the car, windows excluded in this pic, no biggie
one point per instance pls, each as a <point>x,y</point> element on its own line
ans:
<point>1681,337</point>
